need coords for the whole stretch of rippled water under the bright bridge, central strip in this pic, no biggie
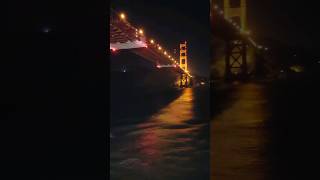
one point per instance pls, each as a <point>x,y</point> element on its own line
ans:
<point>170,142</point>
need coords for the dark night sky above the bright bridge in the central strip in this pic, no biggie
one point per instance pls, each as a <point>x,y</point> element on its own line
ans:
<point>171,22</point>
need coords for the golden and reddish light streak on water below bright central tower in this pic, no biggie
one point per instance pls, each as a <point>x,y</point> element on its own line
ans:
<point>163,126</point>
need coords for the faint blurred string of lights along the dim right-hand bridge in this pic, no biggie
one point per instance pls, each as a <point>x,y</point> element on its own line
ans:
<point>237,27</point>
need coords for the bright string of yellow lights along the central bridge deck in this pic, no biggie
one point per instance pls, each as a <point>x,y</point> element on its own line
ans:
<point>151,42</point>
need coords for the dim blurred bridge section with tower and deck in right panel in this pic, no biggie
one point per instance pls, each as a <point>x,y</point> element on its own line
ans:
<point>229,23</point>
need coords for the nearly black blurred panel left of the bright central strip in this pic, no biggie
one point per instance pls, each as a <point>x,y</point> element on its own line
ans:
<point>54,81</point>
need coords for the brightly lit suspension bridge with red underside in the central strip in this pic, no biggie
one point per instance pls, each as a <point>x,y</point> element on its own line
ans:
<point>125,36</point>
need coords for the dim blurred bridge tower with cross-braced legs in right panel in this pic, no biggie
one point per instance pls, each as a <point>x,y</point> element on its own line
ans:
<point>236,49</point>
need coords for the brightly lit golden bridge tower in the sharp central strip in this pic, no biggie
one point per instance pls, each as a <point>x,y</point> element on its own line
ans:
<point>183,64</point>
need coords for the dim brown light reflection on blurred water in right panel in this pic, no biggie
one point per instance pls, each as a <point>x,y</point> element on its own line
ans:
<point>238,136</point>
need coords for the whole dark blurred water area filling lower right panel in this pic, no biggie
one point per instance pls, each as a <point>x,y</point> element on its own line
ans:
<point>267,131</point>
